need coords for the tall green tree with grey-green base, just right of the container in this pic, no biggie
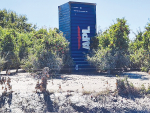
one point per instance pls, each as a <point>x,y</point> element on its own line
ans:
<point>112,51</point>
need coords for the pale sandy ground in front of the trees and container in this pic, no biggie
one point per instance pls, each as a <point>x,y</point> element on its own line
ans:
<point>23,86</point>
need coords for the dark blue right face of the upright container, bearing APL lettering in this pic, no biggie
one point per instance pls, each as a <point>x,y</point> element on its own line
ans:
<point>83,28</point>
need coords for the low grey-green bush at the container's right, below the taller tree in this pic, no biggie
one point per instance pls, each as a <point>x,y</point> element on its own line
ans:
<point>107,59</point>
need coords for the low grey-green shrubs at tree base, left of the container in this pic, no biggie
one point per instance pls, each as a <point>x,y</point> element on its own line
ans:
<point>44,59</point>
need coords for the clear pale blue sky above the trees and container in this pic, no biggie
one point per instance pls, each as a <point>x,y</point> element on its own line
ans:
<point>45,12</point>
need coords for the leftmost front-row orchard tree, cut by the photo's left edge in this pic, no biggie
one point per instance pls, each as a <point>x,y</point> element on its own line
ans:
<point>8,50</point>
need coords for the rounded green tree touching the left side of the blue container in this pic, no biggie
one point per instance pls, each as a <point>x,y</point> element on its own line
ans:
<point>54,52</point>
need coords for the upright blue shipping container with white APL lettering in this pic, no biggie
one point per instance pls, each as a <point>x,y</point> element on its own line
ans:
<point>77,20</point>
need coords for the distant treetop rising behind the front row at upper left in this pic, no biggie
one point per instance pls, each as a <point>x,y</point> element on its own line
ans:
<point>9,19</point>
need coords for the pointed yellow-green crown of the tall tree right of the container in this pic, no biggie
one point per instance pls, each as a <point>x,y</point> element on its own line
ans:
<point>119,34</point>
